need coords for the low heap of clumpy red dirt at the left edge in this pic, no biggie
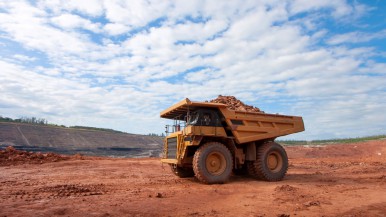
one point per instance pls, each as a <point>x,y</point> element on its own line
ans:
<point>11,156</point>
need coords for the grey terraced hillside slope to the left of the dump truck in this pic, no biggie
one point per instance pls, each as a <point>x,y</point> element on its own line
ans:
<point>71,141</point>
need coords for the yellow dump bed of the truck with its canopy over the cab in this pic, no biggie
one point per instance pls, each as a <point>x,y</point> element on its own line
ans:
<point>245,126</point>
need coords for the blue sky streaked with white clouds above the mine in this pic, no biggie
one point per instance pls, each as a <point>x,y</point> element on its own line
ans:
<point>117,64</point>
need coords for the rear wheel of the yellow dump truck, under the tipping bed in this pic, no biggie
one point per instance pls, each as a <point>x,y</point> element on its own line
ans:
<point>271,163</point>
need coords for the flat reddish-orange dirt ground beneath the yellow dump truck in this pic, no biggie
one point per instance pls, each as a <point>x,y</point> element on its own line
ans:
<point>335,180</point>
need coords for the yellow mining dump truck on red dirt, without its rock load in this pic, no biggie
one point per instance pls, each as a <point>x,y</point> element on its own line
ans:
<point>209,141</point>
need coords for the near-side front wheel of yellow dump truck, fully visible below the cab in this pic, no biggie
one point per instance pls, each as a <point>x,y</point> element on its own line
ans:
<point>213,163</point>
